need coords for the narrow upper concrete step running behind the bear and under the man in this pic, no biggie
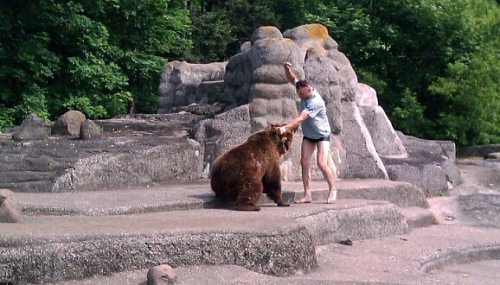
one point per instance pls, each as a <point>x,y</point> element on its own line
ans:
<point>196,194</point>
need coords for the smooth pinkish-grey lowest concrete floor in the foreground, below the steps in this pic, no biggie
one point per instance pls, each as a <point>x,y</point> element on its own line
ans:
<point>431,255</point>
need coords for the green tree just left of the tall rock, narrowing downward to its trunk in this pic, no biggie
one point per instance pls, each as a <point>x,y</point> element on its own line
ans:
<point>147,33</point>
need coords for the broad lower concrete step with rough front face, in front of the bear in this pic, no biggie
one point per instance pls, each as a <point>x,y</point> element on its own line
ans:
<point>274,241</point>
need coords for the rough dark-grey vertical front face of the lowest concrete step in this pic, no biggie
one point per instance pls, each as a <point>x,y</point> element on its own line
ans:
<point>281,253</point>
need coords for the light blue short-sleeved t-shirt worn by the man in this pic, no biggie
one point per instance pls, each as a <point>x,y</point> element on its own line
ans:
<point>316,126</point>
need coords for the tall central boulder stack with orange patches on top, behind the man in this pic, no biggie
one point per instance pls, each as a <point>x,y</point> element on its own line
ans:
<point>256,77</point>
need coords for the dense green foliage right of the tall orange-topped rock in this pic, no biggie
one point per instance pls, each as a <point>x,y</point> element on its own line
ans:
<point>404,48</point>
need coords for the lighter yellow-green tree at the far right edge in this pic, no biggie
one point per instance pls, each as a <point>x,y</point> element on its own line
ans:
<point>471,86</point>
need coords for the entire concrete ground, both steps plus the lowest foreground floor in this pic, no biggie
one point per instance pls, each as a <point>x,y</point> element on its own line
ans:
<point>441,244</point>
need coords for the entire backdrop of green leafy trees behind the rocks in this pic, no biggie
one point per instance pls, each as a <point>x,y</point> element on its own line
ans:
<point>434,64</point>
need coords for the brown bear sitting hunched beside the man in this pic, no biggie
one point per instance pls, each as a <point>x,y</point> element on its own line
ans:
<point>251,168</point>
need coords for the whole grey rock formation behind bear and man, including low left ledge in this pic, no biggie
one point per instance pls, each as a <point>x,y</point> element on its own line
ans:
<point>206,109</point>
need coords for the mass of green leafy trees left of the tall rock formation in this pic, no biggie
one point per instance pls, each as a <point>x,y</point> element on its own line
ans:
<point>87,55</point>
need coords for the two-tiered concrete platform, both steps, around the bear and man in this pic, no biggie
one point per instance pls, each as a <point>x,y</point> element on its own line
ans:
<point>75,235</point>
